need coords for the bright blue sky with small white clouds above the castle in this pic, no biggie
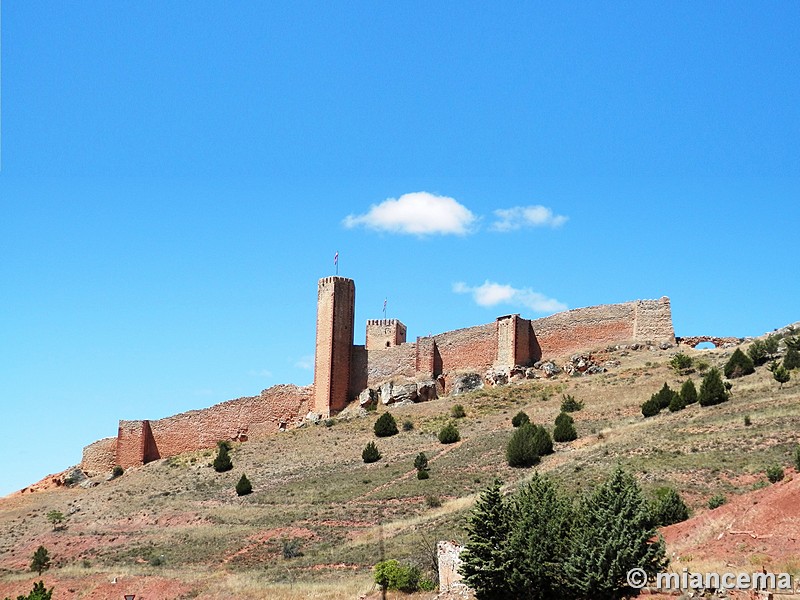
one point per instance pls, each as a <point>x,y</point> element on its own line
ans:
<point>176,176</point>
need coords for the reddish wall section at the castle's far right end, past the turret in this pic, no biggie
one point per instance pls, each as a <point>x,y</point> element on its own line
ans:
<point>584,328</point>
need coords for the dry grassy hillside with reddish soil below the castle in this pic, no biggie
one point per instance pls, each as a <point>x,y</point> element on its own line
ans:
<point>177,526</point>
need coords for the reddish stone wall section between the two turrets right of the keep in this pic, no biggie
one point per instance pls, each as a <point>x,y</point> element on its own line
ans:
<point>473,348</point>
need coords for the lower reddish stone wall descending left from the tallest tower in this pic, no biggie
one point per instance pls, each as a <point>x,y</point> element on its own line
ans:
<point>279,407</point>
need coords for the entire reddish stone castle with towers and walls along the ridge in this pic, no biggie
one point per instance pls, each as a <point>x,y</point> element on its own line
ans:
<point>343,370</point>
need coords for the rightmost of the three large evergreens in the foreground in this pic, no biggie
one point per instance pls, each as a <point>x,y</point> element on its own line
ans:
<point>613,533</point>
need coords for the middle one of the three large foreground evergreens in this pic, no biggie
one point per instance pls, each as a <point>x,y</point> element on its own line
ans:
<point>539,541</point>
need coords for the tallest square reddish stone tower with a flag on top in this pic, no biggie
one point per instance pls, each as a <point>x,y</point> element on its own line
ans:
<point>336,298</point>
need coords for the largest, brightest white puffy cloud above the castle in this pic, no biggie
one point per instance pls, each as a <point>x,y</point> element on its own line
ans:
<point>418,213</point>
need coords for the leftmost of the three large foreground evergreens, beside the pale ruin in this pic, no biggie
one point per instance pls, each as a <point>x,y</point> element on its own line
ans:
<point>485,558</point>
